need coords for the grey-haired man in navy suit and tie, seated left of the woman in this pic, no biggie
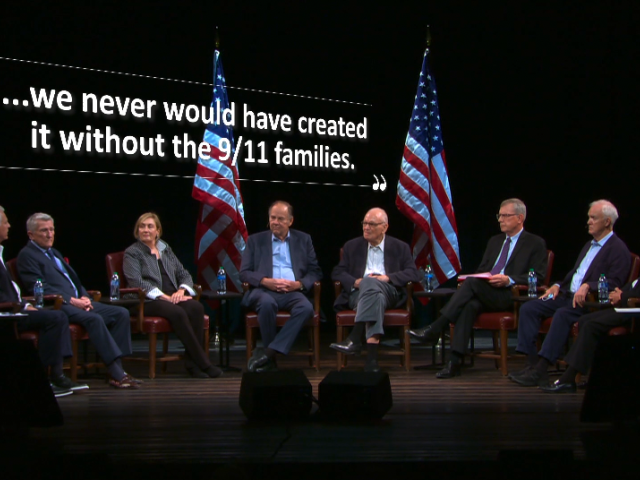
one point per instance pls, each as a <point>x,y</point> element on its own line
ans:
<point>107,325</point>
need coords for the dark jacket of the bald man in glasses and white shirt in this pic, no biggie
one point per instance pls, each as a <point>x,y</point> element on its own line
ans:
<point>398,264</point>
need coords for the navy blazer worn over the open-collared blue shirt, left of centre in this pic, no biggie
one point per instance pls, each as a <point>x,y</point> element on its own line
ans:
<point>257,260</point>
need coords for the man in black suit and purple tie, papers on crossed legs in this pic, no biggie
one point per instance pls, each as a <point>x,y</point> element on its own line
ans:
<point>508,259</point>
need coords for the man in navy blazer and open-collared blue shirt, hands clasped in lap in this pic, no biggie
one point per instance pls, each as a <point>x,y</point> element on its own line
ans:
<point>280,264</point>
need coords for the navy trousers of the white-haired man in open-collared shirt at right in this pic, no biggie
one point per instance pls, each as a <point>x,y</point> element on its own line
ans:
<point>531,316</point>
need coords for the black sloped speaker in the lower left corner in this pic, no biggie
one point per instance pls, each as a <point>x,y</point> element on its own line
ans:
<point>29,400</point>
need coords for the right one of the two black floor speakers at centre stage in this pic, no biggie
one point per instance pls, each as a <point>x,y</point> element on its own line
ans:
<point>355,394</point>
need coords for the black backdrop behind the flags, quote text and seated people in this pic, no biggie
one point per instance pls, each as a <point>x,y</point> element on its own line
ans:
<point>538,100</point>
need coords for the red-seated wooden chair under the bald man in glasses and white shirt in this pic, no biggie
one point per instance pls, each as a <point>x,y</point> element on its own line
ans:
<point>399,318</point>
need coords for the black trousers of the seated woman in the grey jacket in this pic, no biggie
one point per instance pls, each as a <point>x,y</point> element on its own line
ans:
<point>187,321</point>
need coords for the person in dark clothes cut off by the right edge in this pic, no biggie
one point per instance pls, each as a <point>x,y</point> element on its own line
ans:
<point>591,329</point>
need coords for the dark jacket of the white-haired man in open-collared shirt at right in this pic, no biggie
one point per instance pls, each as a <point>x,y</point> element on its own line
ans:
<point>613,259</point>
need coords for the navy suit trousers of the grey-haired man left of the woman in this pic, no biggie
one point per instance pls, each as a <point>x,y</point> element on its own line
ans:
<point>108,327</point>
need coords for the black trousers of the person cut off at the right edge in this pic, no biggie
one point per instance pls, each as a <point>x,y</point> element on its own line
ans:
<point>591,329</point>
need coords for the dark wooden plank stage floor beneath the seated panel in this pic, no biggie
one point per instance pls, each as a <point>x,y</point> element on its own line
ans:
<point>442,426</point>
